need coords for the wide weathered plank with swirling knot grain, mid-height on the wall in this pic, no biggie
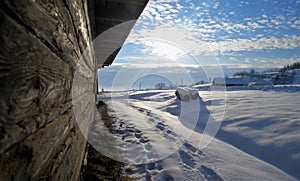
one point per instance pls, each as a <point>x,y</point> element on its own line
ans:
<point>33,79</point>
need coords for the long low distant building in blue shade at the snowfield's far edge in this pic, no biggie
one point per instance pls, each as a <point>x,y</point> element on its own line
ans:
<point>231,81</point>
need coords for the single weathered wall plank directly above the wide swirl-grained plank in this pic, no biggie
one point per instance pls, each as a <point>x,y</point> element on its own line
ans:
<point>51,23</point>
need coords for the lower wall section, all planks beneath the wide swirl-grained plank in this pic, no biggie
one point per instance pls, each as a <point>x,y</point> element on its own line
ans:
<point>46,154</point>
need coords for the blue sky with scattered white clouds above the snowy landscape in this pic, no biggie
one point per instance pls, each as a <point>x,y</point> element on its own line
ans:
<point>204,39</point>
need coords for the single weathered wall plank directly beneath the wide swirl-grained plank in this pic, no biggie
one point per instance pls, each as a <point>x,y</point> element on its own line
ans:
<point>37,150</point>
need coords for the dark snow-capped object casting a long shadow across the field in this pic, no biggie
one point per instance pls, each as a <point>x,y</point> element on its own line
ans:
<point>187,93</point>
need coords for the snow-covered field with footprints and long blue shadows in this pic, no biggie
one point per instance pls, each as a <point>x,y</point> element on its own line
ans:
<point>258,139</point>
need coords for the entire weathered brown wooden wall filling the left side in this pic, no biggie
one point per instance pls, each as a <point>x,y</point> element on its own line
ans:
<point>41,43</point>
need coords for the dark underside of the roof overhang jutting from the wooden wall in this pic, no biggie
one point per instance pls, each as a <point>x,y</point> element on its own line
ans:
<point>111,23</point>
